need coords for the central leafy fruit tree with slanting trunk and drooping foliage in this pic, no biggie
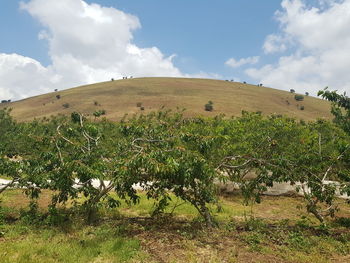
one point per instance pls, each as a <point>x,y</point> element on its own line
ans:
<point>161,160</point>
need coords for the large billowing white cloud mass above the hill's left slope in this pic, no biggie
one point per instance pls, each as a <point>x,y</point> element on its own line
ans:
<point>87,43</point>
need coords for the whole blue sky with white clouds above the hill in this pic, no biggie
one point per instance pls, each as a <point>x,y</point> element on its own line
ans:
<point>284,44</point>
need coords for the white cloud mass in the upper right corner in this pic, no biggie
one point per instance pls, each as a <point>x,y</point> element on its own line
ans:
<point>317,44</point>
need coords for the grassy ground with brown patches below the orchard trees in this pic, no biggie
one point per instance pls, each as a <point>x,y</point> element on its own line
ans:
<point>129,234</point>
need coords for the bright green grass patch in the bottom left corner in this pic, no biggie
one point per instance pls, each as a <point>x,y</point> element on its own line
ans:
<point>91,244</point>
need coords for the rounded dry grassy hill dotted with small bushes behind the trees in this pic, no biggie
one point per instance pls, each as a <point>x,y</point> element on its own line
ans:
<point>121,96</point>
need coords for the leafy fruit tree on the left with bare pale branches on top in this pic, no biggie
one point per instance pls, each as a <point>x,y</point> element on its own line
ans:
<point>75,162</point>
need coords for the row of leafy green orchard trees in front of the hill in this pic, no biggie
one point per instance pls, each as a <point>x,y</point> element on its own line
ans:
<point>166,153</point>
